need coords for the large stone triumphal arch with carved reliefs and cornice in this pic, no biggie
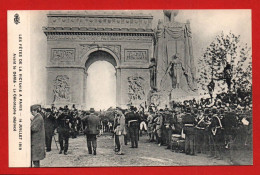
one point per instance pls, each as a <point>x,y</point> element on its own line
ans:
<point>75,41</point>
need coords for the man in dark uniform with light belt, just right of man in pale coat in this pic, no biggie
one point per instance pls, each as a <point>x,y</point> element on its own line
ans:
<point>132,120</point>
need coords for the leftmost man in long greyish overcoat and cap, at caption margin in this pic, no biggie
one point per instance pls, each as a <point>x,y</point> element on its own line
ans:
<point>37,136</point>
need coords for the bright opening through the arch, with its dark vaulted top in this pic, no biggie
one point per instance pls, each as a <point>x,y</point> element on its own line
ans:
<point>101,81</point>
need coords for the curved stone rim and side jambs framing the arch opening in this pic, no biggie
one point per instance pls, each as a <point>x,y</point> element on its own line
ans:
<point>101,54</point>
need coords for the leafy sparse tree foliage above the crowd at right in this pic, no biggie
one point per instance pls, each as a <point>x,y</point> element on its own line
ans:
<point>225,49</point>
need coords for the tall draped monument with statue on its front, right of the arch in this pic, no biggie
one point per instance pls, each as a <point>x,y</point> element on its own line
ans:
<point>175,55</point>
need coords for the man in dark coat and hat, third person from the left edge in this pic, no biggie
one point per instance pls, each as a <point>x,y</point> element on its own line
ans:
<point>64,127</point>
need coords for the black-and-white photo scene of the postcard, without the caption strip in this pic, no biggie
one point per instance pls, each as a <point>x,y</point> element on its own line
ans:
<point>113,88</point>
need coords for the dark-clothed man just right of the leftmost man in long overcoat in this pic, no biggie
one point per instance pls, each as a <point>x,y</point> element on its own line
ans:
<point>49,125</point>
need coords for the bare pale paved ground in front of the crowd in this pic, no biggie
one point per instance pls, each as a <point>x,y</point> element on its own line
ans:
<point>148,154</point>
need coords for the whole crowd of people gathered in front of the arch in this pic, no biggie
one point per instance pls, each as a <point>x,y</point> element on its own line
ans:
<point>210,126</point>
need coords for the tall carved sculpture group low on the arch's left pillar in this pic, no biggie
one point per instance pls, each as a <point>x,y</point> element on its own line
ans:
<point>61,88</point>
